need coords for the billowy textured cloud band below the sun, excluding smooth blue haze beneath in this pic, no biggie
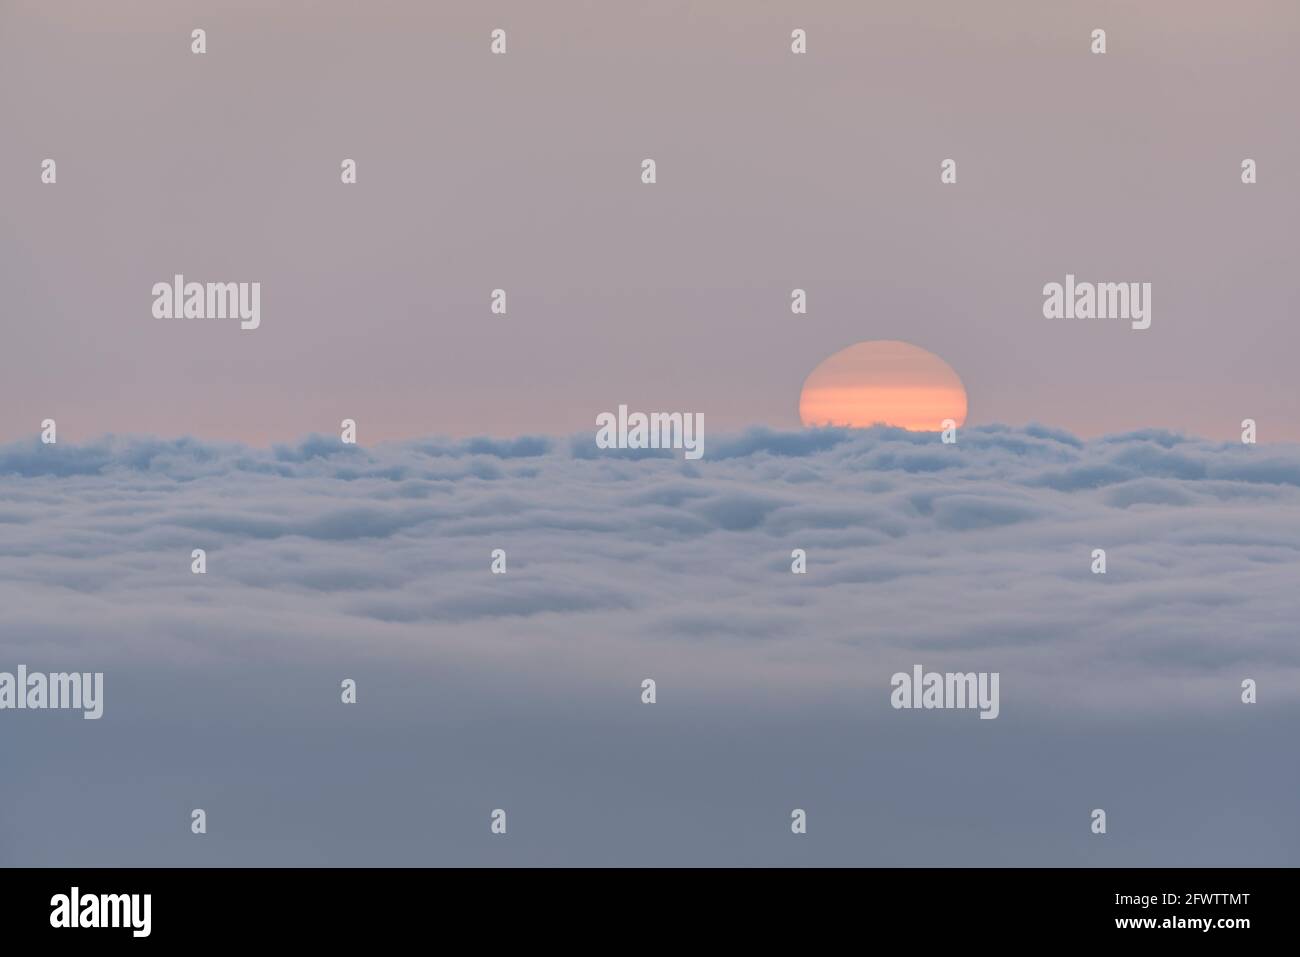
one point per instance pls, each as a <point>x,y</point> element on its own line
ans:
<point>972,557</point>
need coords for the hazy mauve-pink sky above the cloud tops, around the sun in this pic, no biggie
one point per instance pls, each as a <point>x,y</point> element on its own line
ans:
<point>523,172</point>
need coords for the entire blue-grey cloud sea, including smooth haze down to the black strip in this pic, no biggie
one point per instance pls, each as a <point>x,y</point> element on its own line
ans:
<point>330,561</point>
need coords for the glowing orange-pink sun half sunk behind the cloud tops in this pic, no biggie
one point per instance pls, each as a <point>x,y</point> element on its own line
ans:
<point>886,383</point>
